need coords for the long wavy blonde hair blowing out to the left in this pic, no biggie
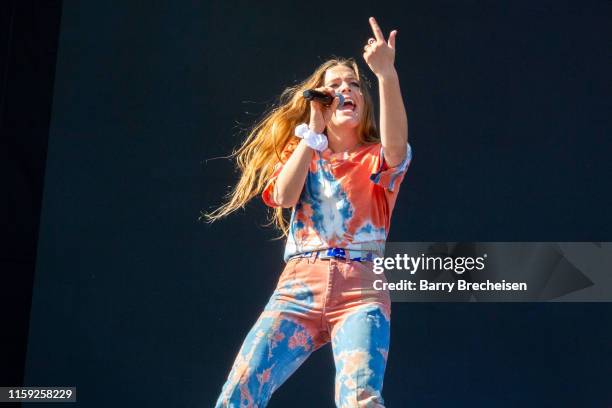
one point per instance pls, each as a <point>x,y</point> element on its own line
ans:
<point>268,138</point>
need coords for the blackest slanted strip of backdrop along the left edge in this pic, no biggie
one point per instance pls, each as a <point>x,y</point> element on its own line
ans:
<point>28,45</point>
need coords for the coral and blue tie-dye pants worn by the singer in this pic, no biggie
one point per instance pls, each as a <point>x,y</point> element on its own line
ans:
<point>316,301</point>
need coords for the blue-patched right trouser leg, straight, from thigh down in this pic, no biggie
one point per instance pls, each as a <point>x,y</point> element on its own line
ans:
<point>360,342</point>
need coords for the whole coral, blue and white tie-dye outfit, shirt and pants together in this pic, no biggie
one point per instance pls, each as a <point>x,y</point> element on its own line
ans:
<point>346,203</point>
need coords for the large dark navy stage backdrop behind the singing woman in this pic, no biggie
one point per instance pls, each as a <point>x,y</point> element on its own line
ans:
<point>138,304</point>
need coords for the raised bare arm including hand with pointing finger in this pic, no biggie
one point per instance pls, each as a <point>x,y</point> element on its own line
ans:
<point>380,57</point>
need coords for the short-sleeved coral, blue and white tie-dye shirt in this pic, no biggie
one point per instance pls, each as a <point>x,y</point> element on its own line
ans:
<point>346,202</point>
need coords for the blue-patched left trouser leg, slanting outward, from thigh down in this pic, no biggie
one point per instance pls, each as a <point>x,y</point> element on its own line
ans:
<point>273,349</point>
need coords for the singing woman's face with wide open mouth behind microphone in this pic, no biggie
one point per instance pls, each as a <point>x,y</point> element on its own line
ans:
<point>344,81</point>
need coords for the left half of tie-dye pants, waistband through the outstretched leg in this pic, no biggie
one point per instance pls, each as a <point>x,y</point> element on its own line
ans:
<point>286,333</point>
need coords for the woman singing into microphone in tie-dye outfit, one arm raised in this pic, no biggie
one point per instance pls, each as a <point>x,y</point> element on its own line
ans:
<point>341,176</point>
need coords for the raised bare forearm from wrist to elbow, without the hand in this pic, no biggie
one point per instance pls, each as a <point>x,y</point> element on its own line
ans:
<point>393,119</point>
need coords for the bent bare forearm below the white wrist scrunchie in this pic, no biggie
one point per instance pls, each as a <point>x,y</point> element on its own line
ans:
<point>290,181</point>
